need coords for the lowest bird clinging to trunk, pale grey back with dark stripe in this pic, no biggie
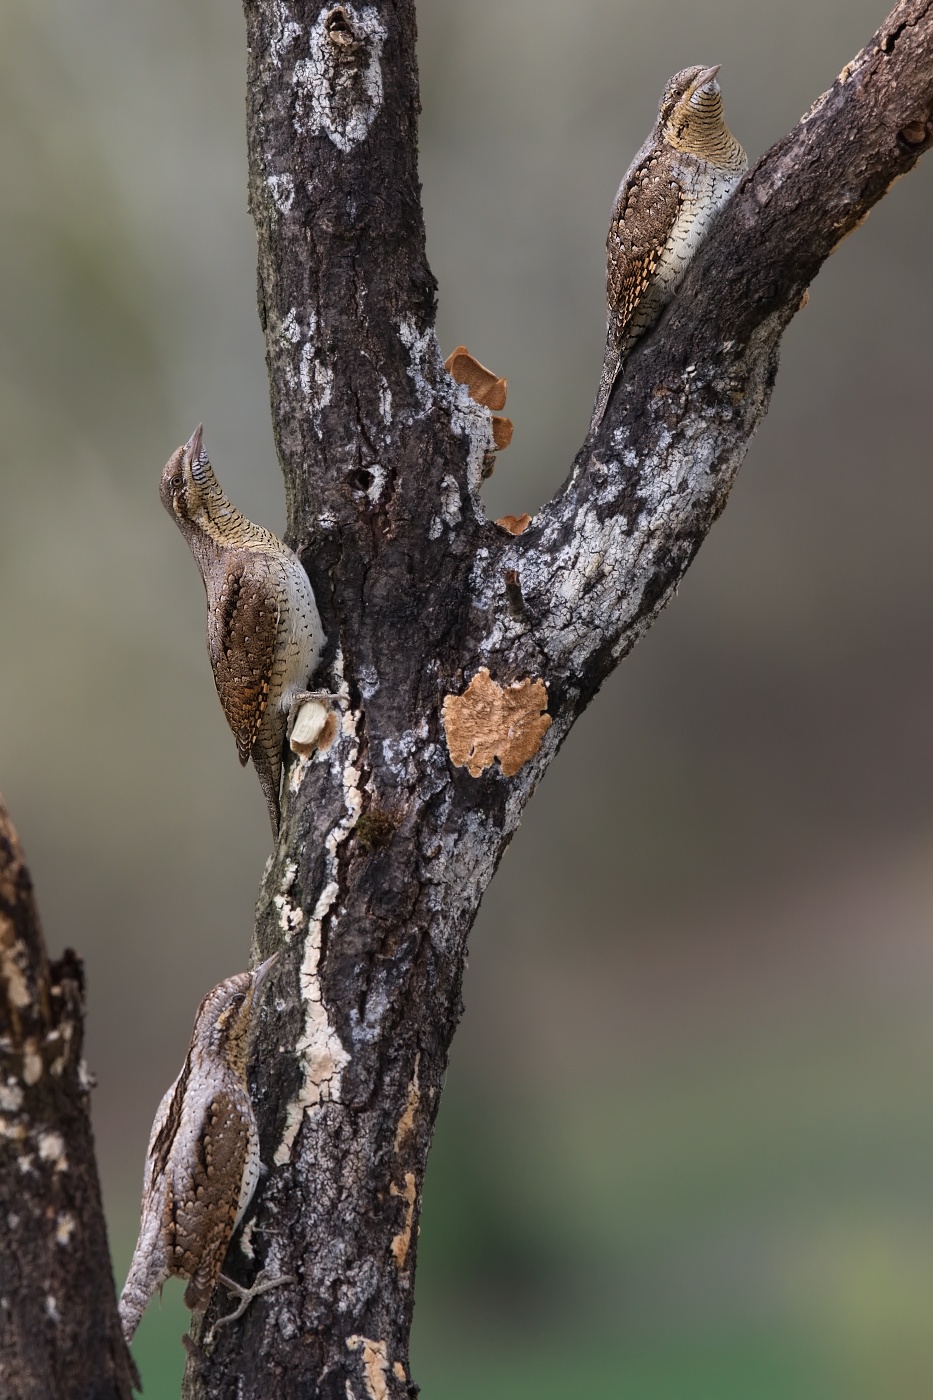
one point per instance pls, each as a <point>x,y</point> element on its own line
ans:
<point>202,1164</point>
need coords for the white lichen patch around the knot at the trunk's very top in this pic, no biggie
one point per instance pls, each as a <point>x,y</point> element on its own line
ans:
<point>340,83</point>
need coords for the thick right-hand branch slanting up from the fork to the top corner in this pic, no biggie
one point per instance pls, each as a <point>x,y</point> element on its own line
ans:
<point>603,559</point>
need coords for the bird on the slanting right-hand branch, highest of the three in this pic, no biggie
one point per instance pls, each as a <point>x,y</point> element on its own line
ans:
<point>672,192</point>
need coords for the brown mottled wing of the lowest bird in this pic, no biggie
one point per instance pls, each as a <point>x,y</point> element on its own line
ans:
<point>202,1206</point>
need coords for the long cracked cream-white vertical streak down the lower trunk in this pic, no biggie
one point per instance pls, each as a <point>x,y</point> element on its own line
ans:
<point>320,1048</point>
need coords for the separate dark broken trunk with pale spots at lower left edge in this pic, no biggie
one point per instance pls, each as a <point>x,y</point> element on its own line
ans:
<point>60,1332</point>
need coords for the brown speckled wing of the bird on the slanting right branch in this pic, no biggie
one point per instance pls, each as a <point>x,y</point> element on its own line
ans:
<point>642,220</point>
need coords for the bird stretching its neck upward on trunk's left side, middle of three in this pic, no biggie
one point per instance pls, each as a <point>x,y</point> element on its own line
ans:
<point>264,629</point>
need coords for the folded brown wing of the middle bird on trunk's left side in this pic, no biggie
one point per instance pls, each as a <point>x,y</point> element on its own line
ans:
<point>242,639</point>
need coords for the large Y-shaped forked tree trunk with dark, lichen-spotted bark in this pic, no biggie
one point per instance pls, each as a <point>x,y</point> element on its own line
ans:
<point>389,839</point>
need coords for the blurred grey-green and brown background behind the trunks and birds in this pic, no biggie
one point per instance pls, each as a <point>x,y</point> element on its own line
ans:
<point>687,1140</point>
